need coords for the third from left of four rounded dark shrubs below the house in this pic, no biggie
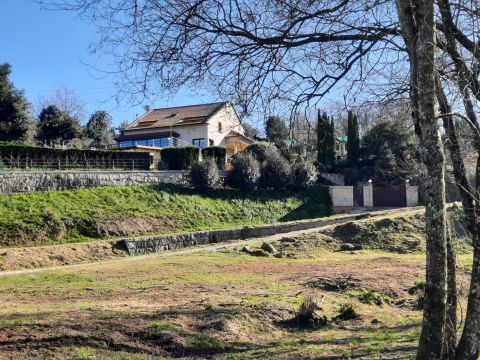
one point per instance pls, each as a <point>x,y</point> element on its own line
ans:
<point>276,172</point>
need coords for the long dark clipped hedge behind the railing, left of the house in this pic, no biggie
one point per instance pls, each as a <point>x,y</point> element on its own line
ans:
<point>26,156</point>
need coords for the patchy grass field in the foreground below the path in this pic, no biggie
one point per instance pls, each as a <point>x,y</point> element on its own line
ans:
<point>224,304</point>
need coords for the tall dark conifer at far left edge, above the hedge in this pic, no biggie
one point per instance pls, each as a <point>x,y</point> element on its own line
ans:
<point>15,123</point>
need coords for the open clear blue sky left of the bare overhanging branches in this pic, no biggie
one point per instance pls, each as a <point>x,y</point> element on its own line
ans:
<point>48,49</point>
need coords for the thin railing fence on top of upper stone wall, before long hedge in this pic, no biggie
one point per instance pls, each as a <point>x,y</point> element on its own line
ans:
<point>63,164</point>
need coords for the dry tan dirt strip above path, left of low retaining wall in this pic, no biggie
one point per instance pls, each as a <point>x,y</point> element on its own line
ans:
<point>58,255</point>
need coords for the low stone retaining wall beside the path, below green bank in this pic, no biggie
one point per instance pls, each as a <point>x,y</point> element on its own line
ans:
<point>153,244</point>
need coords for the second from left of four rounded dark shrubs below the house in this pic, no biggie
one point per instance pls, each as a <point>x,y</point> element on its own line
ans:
<point>245,174</point>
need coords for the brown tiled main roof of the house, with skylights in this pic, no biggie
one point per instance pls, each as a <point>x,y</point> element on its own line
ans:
<point>176,116</point>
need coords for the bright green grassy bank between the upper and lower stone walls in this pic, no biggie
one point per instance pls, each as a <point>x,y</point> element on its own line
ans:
<point>70,216</point>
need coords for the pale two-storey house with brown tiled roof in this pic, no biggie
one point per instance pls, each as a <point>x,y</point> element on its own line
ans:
<point>215,124</point>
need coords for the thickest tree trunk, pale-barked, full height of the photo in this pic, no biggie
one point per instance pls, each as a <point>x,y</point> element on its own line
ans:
<point>418,29</point>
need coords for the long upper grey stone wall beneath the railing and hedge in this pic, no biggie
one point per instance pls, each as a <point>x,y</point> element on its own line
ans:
<point>26,182</point>
